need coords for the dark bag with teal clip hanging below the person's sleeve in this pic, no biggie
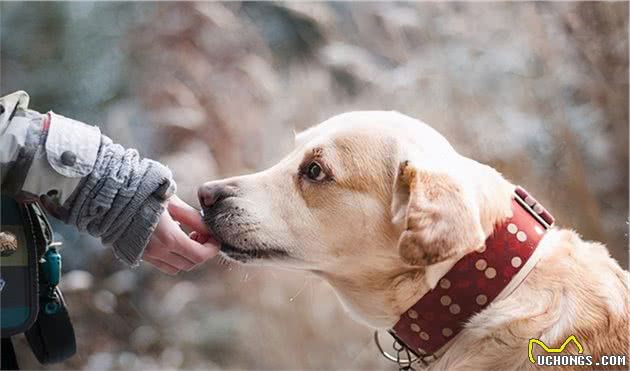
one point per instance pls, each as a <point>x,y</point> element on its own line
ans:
<point>30,268</point>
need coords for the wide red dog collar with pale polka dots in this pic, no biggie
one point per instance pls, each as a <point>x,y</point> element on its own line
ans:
<point>475,280</point>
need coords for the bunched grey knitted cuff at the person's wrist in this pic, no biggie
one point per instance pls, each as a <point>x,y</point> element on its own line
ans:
<point>121,200</point>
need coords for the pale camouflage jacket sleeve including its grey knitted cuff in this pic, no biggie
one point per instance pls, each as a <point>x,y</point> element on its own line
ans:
<point>82,176</point>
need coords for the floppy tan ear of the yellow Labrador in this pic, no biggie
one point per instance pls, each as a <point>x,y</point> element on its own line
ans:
<point>438,219</point>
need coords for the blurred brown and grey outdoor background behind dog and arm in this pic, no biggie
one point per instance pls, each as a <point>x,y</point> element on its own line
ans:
<point>537,90</point>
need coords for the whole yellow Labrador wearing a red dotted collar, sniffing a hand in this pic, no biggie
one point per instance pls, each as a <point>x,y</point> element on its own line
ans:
<point>418,239</point>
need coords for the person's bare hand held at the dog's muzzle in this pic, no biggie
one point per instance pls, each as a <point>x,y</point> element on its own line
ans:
<point>170,250</point>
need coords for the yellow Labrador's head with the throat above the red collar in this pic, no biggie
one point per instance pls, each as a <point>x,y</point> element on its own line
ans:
<point>368,200</point>
